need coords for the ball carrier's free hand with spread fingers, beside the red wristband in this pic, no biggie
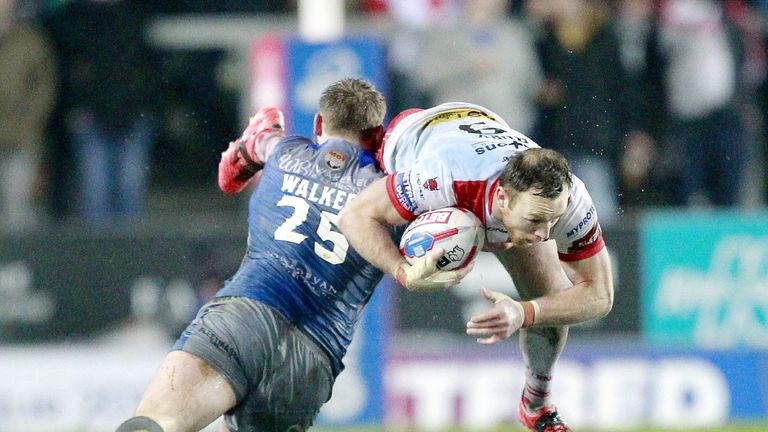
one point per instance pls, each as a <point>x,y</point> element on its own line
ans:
<point>500,322</point>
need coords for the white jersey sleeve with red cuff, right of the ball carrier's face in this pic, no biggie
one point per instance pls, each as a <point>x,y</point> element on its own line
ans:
<point>577,233</point>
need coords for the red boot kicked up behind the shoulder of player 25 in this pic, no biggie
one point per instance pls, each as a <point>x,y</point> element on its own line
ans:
<point>246,156</point>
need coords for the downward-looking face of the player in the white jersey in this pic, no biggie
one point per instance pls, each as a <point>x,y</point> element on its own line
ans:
<point>529,218</point>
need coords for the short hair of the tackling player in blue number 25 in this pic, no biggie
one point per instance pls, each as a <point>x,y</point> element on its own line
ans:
<point>352,105</point>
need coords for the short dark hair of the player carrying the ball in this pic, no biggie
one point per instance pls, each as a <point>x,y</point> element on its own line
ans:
<point>544,170</point>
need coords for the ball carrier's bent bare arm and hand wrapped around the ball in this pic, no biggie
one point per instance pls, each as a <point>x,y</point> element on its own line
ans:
<point>364,221</point>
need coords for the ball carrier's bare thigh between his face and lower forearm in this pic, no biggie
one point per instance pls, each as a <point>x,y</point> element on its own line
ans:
<point>536,269</point>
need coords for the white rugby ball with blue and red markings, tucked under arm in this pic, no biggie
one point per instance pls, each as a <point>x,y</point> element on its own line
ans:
<point>456,230</point>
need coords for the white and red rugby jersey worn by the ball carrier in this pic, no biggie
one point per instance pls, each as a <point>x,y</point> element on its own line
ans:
<point>453,154</point>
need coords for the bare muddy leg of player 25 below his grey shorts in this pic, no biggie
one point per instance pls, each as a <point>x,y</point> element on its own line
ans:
<point>186,394</point>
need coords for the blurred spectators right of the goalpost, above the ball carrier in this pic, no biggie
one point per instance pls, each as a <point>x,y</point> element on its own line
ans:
<point>654,102</point>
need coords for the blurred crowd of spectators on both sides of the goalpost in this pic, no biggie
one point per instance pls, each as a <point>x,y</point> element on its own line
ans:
<point>655,102</point>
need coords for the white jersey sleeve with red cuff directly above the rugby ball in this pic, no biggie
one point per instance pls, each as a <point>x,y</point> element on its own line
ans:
<point>424,187</point>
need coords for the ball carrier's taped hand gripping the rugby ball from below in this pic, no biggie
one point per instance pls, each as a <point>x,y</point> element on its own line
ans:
<point>423,275</point>
